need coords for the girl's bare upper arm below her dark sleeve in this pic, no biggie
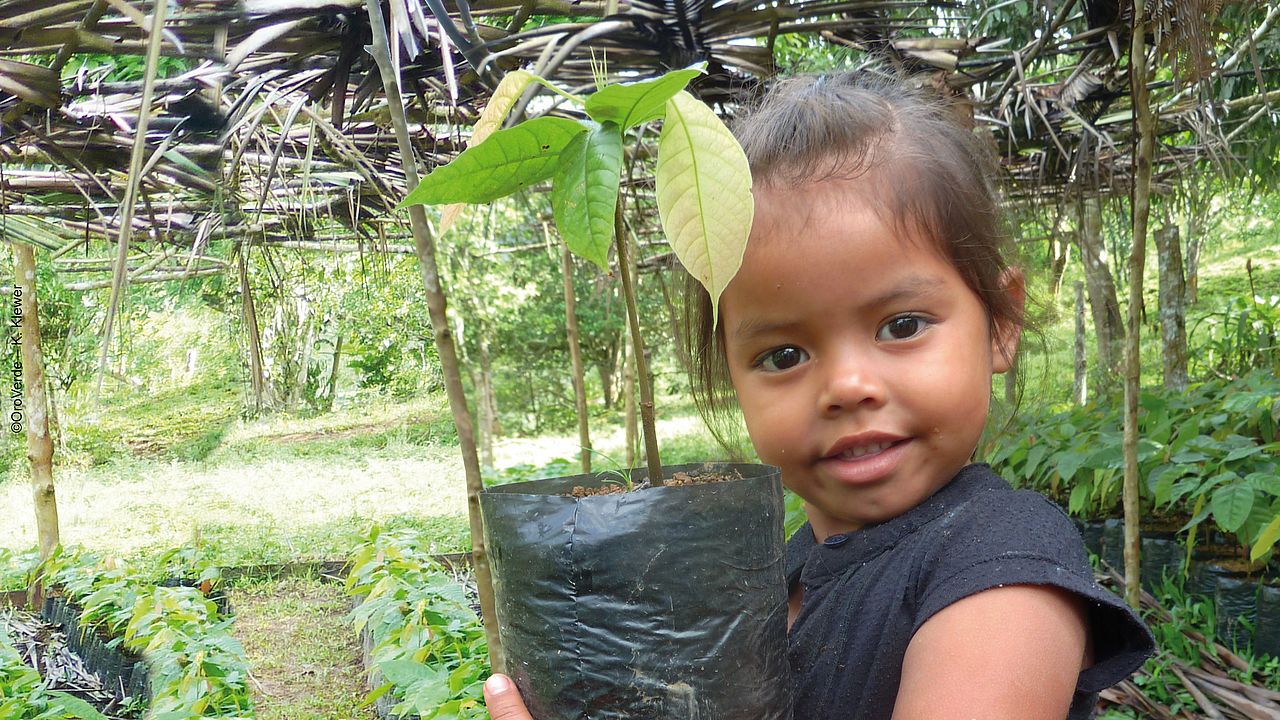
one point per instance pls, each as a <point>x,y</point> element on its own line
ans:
<point>1005,654</point>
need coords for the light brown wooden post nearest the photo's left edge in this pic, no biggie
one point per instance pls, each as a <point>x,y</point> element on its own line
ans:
<point>40,446</point>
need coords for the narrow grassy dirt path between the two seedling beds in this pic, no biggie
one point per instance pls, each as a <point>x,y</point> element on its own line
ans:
<point>304,657</point>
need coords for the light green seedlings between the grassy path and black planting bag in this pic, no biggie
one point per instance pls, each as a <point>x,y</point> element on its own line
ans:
<point>427,641</point>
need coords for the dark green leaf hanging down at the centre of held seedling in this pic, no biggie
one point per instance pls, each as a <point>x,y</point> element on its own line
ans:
<point>586,193</point>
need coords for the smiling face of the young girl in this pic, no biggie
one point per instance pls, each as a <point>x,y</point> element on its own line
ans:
<point>862,361</point>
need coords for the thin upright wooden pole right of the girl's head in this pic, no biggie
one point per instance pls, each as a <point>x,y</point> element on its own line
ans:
<point>1144,157</point>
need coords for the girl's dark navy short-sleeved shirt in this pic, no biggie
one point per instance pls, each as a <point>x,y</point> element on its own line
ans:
<point>867,593</point>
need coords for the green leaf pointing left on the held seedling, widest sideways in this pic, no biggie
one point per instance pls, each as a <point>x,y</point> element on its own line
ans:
<point>510,161</point>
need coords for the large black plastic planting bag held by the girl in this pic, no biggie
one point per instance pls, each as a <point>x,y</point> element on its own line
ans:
<point>648,605</point>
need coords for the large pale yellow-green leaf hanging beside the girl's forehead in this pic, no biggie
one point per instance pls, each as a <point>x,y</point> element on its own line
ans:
<point>705,194</point>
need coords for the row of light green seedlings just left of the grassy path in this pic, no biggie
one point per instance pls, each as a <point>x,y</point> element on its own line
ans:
<point>196,668</point>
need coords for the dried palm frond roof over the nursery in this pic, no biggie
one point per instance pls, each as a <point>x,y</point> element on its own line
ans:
<point>269,124</point>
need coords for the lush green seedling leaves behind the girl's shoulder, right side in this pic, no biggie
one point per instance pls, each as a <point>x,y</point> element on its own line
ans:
<point>1209,452</point>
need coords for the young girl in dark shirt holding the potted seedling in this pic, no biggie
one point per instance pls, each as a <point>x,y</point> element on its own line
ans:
<point>860,340</point>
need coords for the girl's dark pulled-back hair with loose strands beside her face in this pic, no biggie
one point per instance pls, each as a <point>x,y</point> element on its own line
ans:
<point>931,175</point>
